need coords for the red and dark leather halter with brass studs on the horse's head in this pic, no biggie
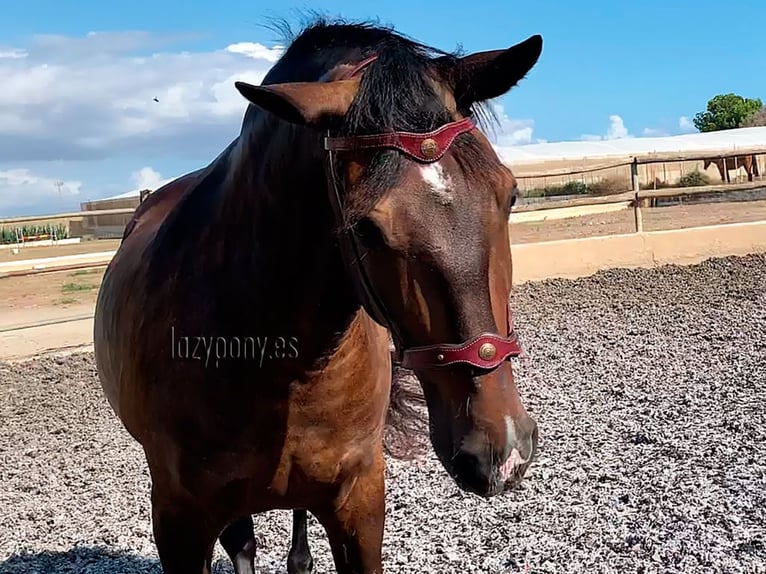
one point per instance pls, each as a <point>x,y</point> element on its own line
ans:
<point>485,351</point>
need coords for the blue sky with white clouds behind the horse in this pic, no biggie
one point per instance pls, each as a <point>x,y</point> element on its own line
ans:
<point>78,120</point>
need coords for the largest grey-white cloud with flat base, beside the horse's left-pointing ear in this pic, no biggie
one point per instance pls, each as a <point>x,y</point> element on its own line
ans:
<point>93,97</point>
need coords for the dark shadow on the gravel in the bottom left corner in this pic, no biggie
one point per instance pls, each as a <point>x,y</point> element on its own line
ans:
<point>90,560</point>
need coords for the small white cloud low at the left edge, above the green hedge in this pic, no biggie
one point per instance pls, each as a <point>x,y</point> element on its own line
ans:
<point>21,187</point>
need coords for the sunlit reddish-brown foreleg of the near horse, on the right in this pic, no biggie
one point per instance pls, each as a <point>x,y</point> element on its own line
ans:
<point>354,524</point>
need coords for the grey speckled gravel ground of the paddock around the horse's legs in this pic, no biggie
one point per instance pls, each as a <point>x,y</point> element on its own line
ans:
<point>649,387</point>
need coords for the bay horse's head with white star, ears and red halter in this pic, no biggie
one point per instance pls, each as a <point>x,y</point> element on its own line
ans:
<point>422,203</point>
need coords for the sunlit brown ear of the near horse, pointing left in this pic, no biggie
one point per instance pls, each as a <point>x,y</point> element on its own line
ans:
<point>303,103</point>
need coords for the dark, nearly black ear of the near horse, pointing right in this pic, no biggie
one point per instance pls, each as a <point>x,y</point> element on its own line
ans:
<point>487,75</point>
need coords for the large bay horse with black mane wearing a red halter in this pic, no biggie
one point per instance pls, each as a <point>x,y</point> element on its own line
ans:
<point>241,331</point>
